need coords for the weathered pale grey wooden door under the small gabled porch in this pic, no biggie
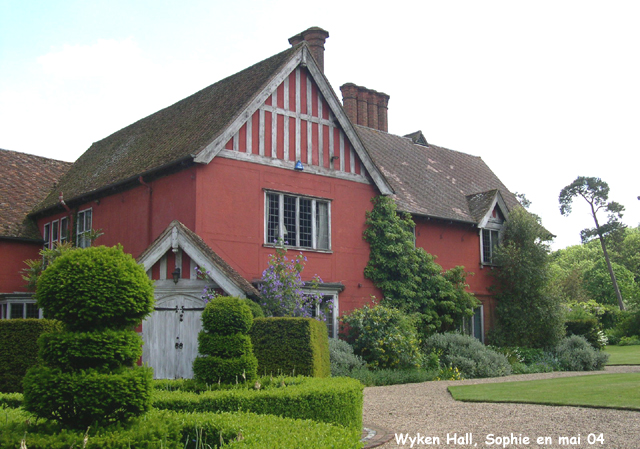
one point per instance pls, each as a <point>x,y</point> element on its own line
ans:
<point>170,336</point>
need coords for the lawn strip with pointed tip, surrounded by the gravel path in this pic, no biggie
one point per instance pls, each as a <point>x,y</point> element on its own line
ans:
<point>600,390</point>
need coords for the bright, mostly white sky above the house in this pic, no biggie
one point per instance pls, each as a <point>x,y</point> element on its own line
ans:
<point>543,91</point>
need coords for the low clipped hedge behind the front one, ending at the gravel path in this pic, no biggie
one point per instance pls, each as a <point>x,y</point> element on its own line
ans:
<point>334,401</point>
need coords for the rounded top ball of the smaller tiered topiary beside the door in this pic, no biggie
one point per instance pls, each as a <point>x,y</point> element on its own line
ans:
<point>227,315</point>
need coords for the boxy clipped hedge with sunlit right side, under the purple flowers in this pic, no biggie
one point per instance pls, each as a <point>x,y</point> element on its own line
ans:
<point>291,346</point>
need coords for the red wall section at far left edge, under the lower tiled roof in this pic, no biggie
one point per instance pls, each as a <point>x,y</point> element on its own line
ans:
<point>14,253</point>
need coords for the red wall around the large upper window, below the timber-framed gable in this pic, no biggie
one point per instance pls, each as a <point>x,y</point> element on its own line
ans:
<point>233,224</point>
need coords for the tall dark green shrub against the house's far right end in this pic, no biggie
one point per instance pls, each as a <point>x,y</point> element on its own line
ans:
<point>527,312</point>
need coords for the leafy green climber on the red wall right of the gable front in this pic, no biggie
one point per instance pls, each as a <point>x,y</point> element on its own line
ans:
<point>409,277</point>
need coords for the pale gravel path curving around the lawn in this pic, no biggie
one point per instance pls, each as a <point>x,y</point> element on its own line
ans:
<point>428,408</point>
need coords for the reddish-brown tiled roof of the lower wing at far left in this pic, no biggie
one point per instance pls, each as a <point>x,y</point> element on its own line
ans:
<point>25,180</point>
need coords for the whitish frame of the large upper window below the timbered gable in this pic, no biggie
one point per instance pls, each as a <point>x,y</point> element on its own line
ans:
<point>281,226</point>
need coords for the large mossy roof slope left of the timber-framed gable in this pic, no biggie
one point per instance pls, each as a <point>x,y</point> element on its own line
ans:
<point>167,136</point>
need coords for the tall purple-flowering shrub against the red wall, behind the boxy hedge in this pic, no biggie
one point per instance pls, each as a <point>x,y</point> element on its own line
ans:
<point>283,290</point>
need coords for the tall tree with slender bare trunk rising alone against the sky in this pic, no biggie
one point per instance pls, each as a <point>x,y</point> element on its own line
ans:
<point>596,193</point>
